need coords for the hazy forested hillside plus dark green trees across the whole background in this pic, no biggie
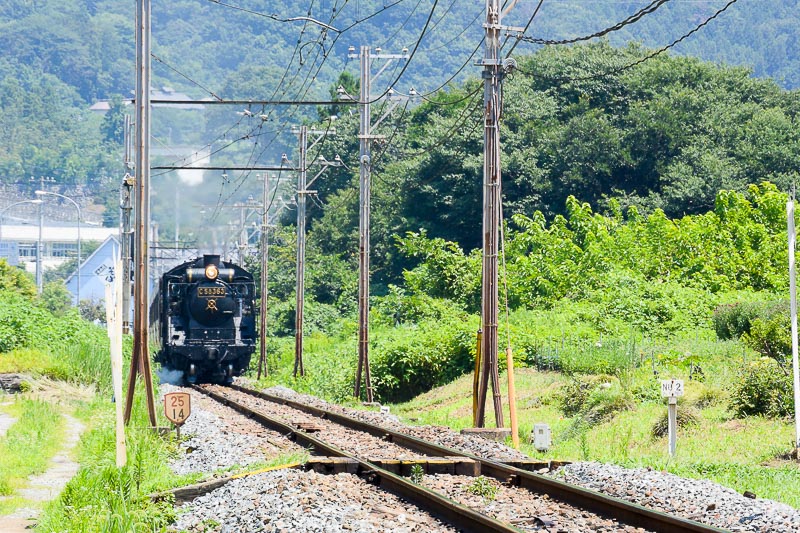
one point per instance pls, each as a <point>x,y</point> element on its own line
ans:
<point>658,135</point>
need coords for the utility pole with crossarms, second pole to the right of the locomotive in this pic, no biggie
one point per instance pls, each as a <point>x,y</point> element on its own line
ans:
<point>302,191</point>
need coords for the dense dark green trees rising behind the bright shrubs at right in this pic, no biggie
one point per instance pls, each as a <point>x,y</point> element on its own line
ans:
<point>663,137</point>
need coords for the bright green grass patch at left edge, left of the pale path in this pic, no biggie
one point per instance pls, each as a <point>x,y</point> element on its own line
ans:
<point>29,444</point>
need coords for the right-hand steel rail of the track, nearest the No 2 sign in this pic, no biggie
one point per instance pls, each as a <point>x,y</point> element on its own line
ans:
<point>621,510</point>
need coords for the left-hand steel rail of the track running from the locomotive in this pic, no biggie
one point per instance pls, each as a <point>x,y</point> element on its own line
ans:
<point>453,513</point>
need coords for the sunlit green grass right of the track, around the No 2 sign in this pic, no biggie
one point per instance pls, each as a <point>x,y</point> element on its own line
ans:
<point>738,453</point>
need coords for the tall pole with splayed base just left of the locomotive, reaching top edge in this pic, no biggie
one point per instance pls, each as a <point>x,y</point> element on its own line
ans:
<point>140,359</point>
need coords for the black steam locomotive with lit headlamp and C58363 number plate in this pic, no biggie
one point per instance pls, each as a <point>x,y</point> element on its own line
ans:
<point>204,321</point>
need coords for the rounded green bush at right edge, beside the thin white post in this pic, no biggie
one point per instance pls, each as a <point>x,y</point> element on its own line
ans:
<point>764,388</point>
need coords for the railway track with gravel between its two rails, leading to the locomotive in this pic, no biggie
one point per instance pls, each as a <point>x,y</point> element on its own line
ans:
<point>385,458</point>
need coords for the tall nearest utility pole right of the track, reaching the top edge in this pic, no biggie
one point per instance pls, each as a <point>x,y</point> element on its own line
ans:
<point>493,73</point>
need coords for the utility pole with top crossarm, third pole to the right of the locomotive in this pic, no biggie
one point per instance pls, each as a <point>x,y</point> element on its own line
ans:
<point>365,167</point>
